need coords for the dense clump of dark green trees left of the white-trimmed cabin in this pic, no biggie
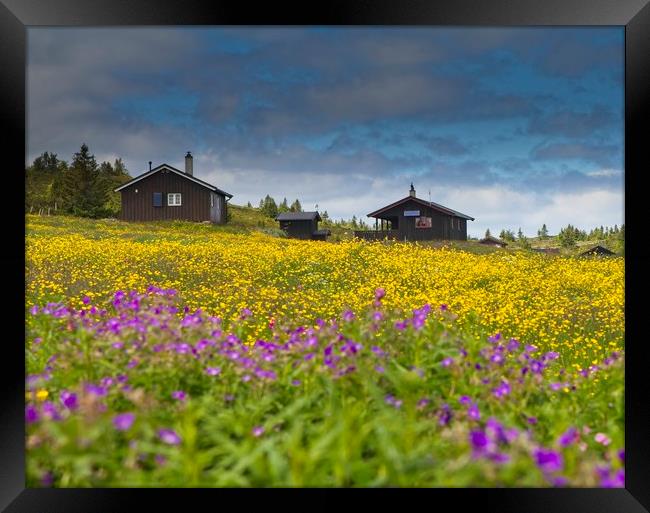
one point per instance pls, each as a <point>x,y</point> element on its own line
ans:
<point>82,187</point>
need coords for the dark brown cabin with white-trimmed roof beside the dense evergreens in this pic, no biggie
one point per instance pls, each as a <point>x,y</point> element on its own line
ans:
<point>165,192</point>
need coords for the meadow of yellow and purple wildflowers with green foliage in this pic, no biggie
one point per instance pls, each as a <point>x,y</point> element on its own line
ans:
<point>189,355</point>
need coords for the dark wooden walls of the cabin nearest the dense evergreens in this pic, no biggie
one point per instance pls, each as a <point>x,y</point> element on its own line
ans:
<point>138,206</point>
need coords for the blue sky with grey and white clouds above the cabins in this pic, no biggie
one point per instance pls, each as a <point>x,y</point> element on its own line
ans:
<point>513,126</point>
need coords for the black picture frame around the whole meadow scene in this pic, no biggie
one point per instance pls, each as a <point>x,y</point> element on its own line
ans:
<point>17,15</point>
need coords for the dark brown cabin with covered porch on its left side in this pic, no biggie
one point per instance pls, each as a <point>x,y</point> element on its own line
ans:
<point>412,219</point>
